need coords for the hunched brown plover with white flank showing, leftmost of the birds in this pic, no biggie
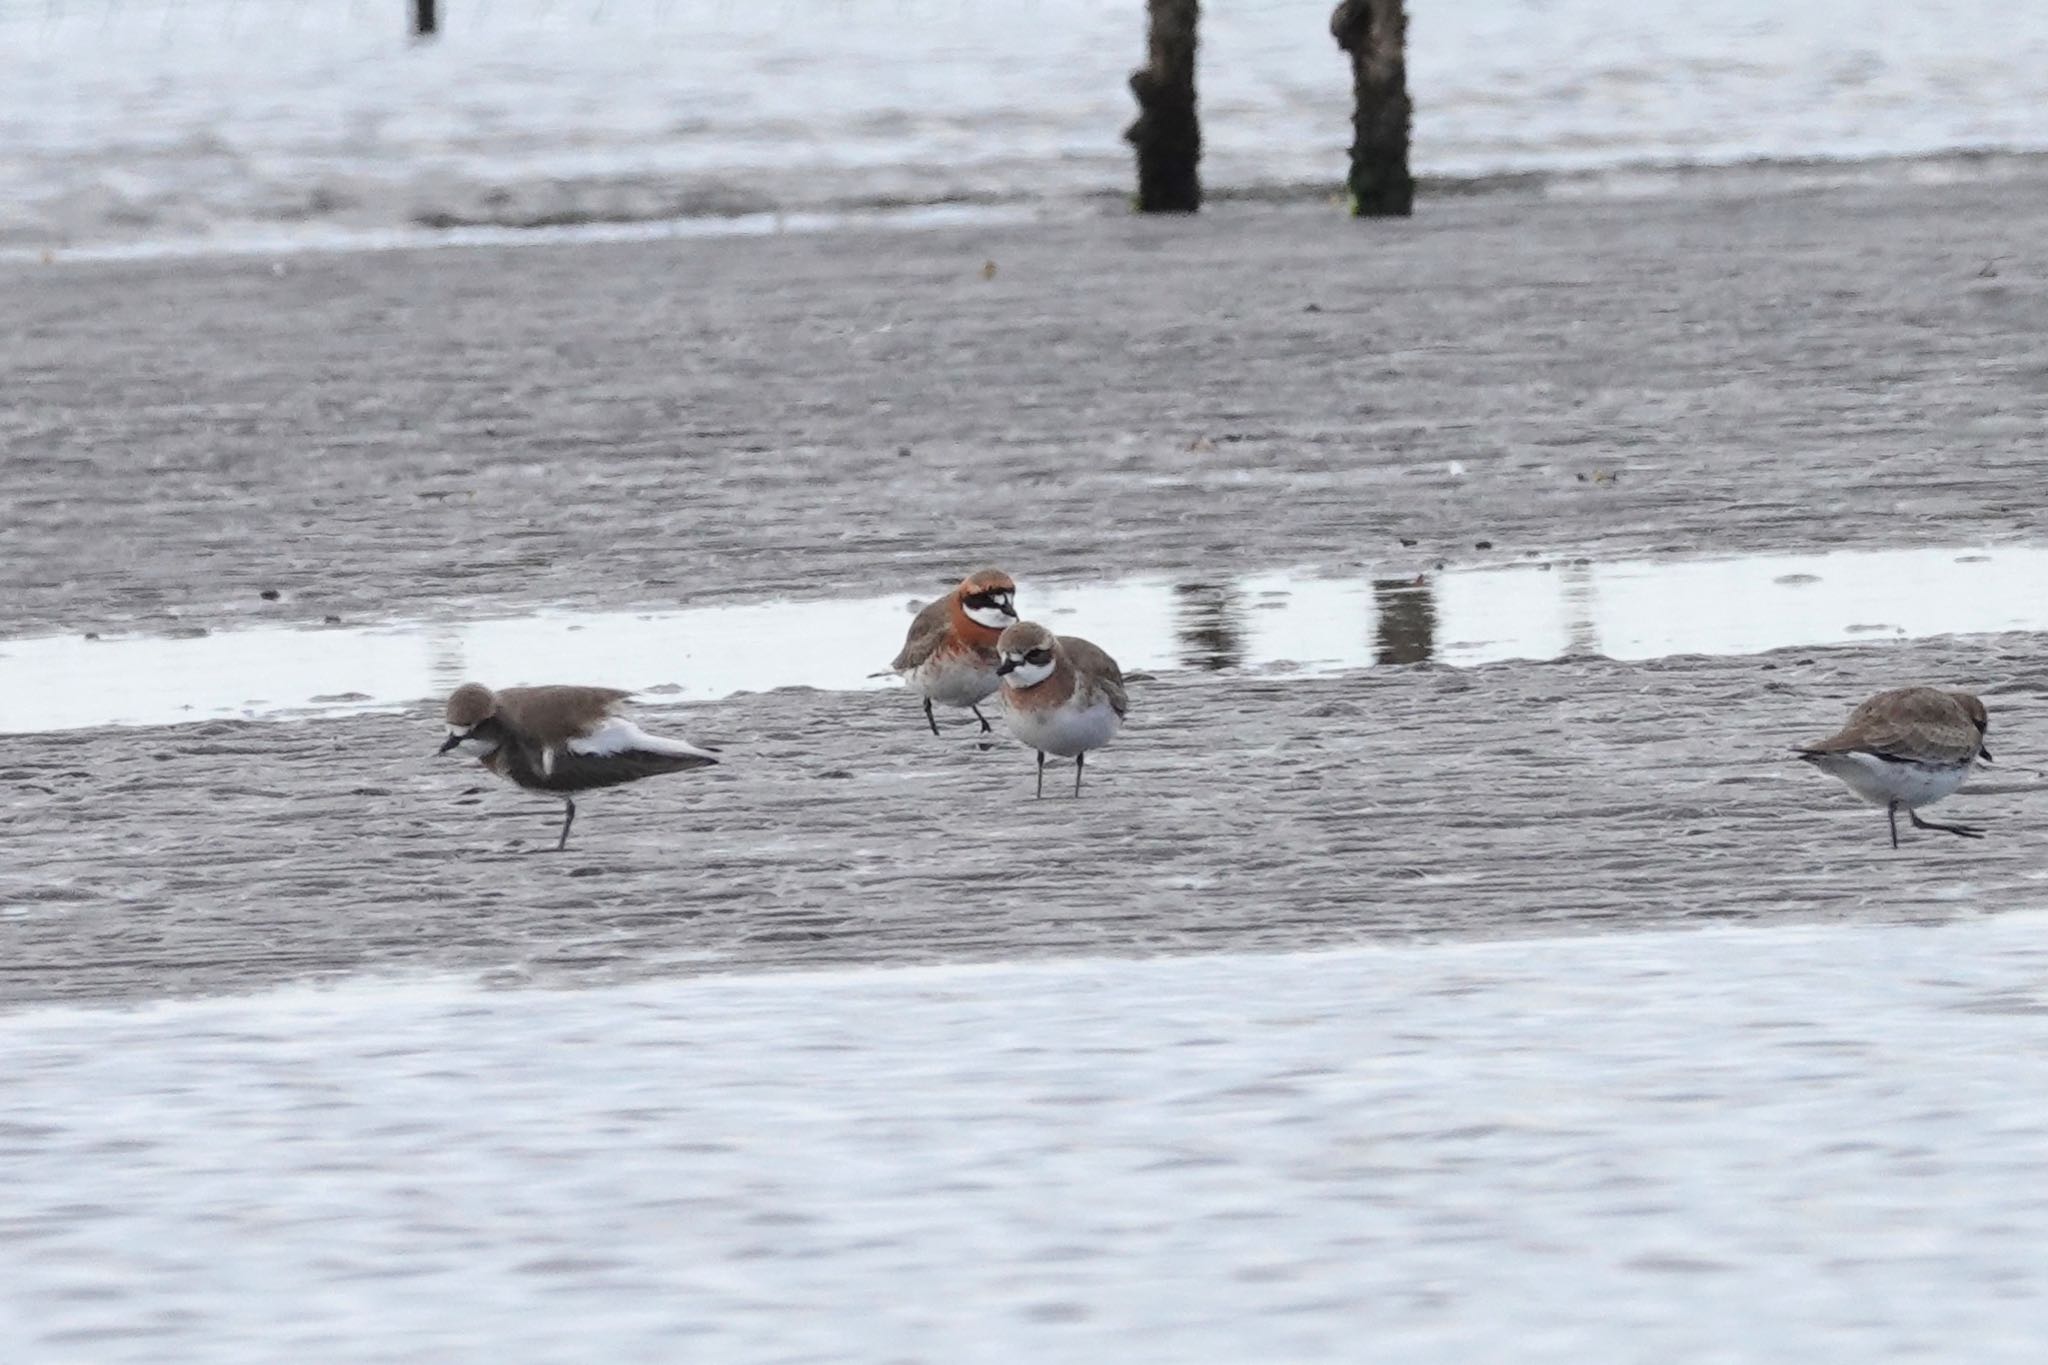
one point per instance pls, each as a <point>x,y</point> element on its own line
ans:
<point>562,740</point>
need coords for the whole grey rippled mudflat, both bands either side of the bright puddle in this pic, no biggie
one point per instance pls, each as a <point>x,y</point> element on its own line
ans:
<point>468,433</point>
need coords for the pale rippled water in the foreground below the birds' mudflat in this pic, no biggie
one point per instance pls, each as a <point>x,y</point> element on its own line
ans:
<point>1807,1143</point>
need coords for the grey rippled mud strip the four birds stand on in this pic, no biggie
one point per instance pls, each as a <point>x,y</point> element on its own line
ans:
<point>1236,813</point>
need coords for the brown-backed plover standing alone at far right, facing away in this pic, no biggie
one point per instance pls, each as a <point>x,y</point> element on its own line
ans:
<point>1904,750</point>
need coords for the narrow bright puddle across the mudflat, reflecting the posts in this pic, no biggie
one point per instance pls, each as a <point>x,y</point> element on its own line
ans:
<point>1285,623</point>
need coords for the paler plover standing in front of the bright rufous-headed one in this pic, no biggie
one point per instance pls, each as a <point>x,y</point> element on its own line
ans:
<point>1064,695</point>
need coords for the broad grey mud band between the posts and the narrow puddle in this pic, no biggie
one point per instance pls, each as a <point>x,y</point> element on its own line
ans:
<point>667,425</point>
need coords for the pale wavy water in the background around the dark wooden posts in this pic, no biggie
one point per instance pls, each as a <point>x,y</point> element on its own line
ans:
<point>210,120</point>
